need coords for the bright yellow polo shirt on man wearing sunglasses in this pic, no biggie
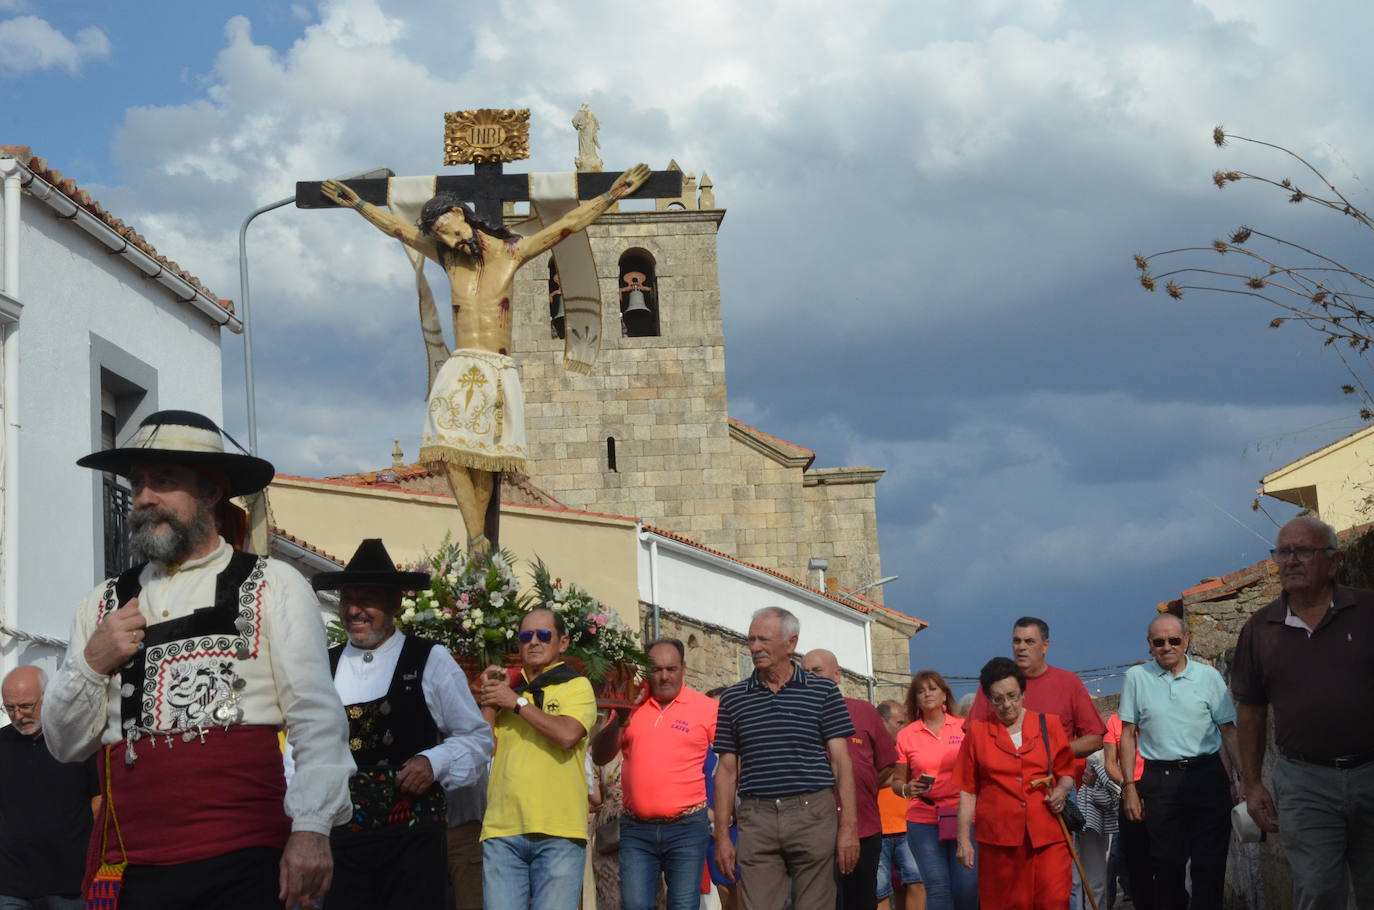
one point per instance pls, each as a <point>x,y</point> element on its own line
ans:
<point>538,788</point>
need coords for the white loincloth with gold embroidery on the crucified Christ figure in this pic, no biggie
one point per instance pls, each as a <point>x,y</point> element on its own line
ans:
<point>476,414</point>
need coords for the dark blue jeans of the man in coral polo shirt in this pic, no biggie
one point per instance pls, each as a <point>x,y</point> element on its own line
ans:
<point>677,850</point>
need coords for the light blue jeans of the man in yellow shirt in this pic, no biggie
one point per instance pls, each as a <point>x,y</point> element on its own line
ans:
<point>526,868</point>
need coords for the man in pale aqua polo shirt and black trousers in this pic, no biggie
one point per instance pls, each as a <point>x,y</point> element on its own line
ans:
<point>1177,713</point>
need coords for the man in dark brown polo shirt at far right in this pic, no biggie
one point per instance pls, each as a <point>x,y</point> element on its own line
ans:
<point>1309,655</point>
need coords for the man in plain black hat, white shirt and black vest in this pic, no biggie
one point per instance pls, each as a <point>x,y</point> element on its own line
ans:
<point>414,732</point>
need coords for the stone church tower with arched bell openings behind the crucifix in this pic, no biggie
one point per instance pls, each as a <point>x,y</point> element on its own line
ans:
<point>648,434</point>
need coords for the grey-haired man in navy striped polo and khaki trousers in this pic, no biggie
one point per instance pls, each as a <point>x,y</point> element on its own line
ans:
<point>782,737</point>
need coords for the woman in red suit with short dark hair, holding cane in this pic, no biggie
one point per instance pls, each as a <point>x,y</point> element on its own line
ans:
<point>1009,794</point>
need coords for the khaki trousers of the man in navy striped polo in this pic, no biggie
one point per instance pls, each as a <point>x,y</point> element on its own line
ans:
<point>788,845</point>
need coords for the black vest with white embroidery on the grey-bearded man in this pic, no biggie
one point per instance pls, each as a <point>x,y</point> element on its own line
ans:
<point>185,677</point>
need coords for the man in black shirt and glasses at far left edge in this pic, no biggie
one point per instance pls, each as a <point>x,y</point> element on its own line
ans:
<point>45,806</point>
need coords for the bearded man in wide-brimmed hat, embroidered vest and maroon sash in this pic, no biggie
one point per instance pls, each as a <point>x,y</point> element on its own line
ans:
<point>181,674</point>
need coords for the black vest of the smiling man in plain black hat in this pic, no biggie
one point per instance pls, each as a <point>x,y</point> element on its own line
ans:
<point>384,735</point>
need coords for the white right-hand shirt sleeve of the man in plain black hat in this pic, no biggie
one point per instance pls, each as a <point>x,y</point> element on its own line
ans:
<point>464,755</point>
